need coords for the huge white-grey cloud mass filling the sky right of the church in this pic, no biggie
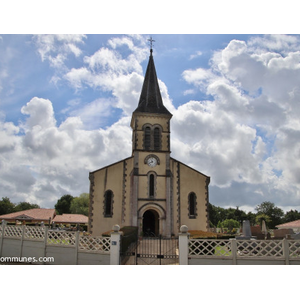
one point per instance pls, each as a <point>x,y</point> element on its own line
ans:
<point>256,103</point>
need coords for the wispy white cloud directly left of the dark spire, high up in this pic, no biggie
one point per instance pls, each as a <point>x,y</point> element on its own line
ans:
<point>108,70</point>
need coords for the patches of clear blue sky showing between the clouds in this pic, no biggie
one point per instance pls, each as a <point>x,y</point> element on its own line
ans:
<point>173,54</point>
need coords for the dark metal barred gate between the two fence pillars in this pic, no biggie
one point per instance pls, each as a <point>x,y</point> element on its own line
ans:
<point>154,251</point>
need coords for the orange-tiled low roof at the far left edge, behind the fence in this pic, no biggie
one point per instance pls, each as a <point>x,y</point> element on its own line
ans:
<point>31,214</point>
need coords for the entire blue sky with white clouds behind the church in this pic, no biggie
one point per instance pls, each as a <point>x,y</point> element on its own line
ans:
<point>66,103</point>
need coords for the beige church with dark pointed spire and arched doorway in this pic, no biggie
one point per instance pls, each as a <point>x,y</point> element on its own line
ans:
<point>150,189</point>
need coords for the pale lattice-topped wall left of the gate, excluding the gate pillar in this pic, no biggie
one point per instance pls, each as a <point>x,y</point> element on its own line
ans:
<point>42,245</point>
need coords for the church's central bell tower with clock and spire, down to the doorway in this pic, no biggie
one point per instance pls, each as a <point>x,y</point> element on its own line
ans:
<point>151,180</point>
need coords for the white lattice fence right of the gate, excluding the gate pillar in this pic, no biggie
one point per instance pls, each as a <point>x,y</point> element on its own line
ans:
<point>234,251</point>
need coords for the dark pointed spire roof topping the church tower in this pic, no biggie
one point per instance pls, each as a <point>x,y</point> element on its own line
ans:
<point>150,99</point>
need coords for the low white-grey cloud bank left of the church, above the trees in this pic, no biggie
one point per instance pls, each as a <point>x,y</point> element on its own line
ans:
<point>48,161</point>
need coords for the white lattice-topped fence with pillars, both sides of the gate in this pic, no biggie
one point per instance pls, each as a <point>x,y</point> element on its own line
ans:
<point>64,247</point>
